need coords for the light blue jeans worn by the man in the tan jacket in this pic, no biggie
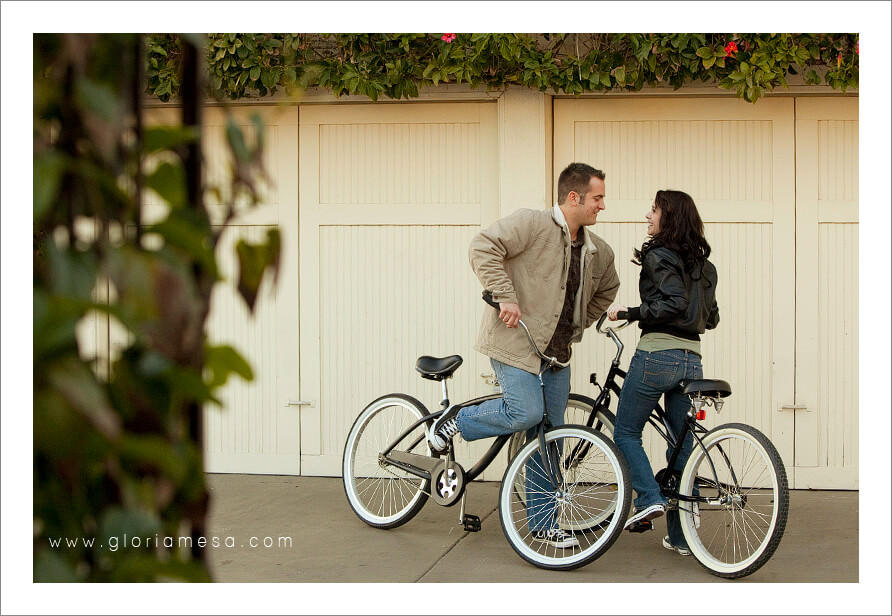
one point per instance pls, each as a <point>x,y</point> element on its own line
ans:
<point>520,409</point>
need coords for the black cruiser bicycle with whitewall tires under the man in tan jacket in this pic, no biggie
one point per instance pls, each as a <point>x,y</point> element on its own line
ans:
<point>389,471</point>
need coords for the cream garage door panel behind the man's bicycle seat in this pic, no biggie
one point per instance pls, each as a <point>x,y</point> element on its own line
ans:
<point>390,197</point>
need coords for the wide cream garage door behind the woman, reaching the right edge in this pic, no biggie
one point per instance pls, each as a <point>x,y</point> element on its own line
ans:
<point>776,183</point>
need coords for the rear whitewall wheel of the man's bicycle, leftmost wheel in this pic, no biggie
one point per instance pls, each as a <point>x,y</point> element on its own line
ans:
<point>382,495</point>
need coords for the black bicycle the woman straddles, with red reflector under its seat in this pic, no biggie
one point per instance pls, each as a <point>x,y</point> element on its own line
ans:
<point>732,494</point>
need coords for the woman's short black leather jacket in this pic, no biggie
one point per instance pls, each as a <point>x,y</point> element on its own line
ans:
<point>673,300</point>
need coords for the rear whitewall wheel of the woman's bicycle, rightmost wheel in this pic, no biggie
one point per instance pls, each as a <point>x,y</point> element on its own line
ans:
<point>742,520</point>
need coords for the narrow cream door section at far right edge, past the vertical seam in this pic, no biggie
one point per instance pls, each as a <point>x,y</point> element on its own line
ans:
<point>827,293</point>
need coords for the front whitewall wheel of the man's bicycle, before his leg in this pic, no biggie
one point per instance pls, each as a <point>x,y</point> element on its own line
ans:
<point>590,487</point>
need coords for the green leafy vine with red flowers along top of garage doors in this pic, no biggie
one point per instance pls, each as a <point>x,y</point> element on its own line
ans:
<point>397,65</point>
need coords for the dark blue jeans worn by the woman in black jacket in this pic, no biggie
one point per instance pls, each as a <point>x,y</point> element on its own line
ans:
<point>650,376</point>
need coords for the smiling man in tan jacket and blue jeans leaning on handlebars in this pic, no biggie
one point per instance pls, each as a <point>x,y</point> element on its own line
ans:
<point>544,266</point>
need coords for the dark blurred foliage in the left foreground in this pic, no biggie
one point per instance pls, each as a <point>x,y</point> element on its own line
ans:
<point>116,449</point>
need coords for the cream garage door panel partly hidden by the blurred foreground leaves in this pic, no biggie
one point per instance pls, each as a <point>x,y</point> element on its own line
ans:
<point>256,431</point>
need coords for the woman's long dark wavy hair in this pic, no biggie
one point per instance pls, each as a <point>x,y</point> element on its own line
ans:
<point>681,229</point>
